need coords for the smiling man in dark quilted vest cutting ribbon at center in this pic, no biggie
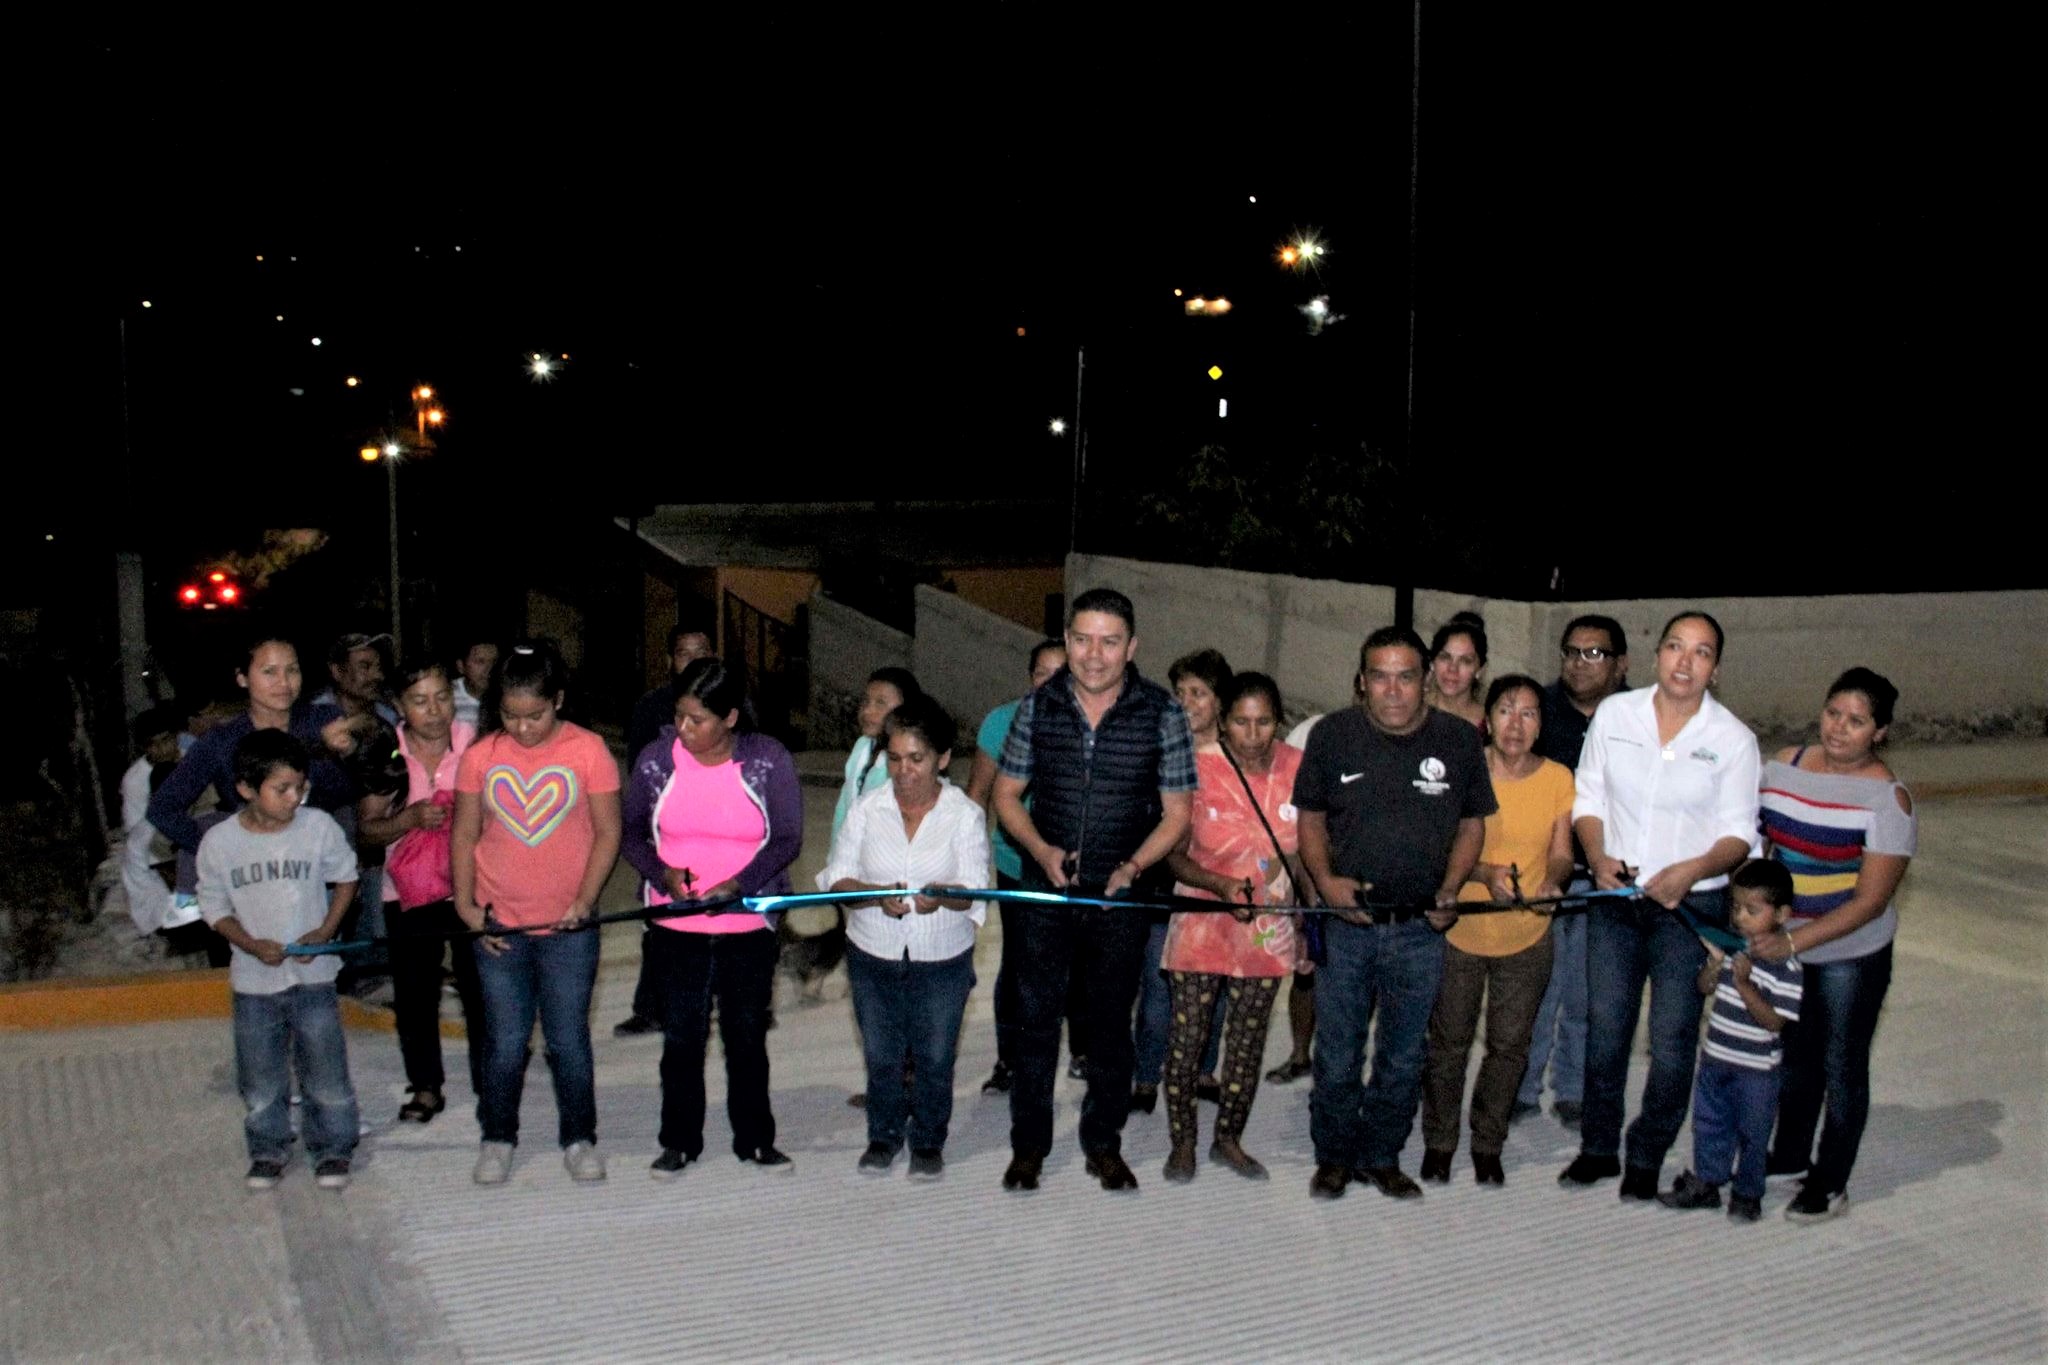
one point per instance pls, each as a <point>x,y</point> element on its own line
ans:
<point>1111,768</point>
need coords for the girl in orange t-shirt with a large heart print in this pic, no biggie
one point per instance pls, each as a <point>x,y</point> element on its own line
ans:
<point>536,836</point>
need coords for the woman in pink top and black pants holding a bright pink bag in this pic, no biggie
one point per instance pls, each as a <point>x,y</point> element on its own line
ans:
<point>415,826</point>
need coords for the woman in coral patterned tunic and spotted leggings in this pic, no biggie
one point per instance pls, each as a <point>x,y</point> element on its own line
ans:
<point>1230,856</point>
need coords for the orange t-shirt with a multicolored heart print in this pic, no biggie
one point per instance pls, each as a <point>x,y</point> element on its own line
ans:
<point>538,830</point>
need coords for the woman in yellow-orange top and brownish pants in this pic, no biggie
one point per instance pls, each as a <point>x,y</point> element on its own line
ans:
<point>1506,957</point>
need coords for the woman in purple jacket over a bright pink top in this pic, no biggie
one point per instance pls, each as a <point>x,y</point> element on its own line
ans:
<point>714,811</point>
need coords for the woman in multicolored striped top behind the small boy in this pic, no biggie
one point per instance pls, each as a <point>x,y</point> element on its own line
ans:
<point>1844,828</point>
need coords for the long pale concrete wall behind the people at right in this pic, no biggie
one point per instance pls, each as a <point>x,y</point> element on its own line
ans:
<point>1967,664</point>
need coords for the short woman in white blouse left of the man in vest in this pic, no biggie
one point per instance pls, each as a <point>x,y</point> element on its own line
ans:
<point>910,957</point>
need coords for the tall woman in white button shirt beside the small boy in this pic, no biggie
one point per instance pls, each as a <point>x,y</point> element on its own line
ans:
<point>1668,803</point>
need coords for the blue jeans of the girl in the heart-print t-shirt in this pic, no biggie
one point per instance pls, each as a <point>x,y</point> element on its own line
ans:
<point>550,975</point>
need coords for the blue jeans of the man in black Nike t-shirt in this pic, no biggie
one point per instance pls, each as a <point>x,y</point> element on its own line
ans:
<point>1400,967</point>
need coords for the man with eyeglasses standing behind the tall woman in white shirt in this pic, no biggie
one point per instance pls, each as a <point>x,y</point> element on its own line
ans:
<point>1592,670</point>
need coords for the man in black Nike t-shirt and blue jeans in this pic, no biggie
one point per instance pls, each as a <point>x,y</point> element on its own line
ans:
<point>1394,801</point>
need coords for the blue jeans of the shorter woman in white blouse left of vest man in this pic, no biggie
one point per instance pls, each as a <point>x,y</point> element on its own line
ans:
<point>910,1012</point>
